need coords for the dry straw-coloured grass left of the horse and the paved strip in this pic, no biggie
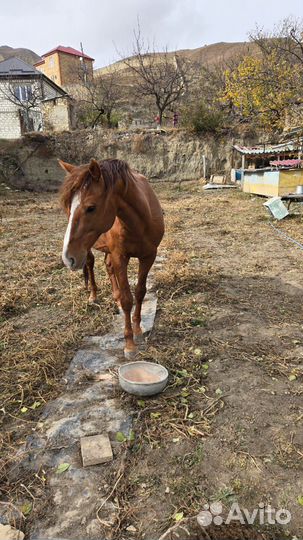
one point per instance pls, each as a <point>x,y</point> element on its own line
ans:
<point>43,312</point>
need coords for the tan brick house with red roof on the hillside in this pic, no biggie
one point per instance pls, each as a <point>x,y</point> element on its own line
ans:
<point>66,66</point>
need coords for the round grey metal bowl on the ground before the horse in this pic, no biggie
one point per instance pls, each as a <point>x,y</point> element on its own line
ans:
<point>143,378</point>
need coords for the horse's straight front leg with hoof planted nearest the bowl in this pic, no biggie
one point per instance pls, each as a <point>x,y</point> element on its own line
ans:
<point>126,298</point>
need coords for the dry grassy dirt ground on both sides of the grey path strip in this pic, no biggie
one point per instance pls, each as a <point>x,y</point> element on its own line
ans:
<point>229,329</point>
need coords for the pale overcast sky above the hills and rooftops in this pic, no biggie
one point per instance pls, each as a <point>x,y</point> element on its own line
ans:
<point>105,26</point>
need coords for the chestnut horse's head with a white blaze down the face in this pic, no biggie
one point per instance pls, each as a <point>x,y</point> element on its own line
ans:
<point>90,207</point>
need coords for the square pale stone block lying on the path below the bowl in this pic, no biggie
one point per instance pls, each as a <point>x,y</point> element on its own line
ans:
<point>96,449</point>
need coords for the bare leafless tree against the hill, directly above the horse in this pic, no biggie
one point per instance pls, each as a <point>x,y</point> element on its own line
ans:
<point>164,76</point>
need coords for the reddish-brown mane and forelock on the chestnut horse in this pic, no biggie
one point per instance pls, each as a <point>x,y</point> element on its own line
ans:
<point>111,171</point>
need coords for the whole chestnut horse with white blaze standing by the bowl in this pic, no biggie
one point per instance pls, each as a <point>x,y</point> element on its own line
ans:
<point>113,209</point>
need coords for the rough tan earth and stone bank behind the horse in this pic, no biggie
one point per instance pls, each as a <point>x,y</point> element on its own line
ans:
<point>31,163</point>
